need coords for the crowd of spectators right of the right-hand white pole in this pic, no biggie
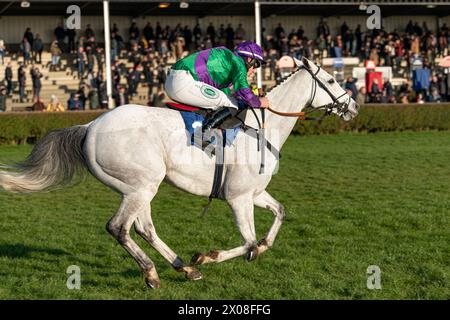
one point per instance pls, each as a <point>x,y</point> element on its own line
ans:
<point>416,47</point>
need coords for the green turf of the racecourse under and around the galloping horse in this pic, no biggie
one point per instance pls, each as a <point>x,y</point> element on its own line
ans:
<point>352,200</point>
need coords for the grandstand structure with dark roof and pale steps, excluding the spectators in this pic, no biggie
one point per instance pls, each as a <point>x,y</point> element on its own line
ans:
<point>43,16</point>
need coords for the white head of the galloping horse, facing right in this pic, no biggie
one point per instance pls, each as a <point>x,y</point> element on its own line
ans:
<point>326,93</point>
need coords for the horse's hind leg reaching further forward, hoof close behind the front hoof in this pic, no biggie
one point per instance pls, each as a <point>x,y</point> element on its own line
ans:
<point>145,228</point>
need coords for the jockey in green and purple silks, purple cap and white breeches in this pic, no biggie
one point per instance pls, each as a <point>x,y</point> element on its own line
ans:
<point>203,79</point>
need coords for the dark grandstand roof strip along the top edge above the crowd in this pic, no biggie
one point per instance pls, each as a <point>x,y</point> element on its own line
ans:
<point>230,7</point>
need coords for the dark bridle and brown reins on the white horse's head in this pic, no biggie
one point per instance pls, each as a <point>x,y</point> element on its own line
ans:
<point>341,107</point>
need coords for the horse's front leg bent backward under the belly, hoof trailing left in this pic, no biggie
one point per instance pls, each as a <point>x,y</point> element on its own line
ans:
<point>243,213</point>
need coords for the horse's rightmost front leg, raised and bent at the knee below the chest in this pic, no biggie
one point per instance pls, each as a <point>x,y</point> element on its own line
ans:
<point>266,201</point>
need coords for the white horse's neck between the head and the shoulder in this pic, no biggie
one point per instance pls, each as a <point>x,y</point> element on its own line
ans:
<point>290,96</point>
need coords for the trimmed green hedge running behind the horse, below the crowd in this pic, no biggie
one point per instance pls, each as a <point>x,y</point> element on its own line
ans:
<point>22,127</point>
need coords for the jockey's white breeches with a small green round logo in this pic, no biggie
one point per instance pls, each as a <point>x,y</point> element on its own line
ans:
<point>183,88</point>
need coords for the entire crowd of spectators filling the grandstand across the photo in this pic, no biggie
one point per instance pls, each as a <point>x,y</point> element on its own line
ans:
<point>149,49</point>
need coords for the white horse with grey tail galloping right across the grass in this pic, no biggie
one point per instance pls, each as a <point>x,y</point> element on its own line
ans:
<point>132,149</point>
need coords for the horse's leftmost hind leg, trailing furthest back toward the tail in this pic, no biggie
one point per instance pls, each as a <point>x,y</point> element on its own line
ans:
<point>119,227</point>
